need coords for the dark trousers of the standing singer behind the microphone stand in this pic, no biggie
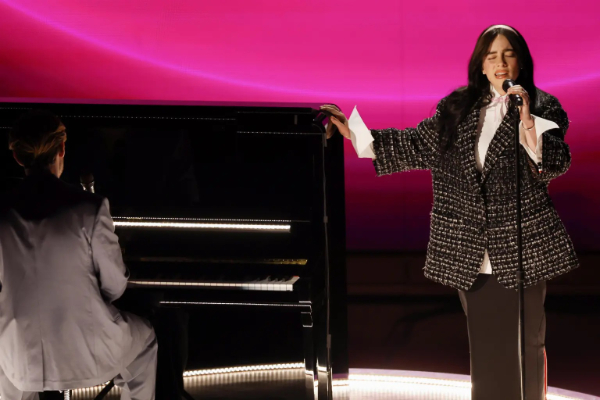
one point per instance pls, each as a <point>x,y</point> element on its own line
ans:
<point>492,317</point>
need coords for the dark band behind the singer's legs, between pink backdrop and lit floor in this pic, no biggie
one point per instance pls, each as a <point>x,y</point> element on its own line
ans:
<point>399,320</point>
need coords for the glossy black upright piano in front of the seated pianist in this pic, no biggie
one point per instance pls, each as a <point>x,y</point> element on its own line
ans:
<point>220,207</point>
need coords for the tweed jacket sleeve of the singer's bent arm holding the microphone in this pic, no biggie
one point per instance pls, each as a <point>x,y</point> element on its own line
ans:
<point>556,155</point>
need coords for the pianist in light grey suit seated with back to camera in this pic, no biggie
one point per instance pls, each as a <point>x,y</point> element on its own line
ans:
<point>60,270</point>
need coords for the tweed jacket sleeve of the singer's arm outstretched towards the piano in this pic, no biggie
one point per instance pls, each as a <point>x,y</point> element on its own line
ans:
<point>399,150</point>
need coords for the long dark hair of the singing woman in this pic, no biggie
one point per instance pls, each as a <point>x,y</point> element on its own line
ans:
<point>478,93</point>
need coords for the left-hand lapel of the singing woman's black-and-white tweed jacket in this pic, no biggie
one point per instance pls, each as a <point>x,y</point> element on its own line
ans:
<point>467,136</point>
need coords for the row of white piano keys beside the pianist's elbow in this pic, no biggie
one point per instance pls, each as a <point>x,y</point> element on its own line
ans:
<point>284,285</point>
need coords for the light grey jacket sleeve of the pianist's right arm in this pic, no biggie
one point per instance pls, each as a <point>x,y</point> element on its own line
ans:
<point>106,253</point>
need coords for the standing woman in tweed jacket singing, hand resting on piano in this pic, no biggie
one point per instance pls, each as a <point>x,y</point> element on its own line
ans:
<point>467,145</point>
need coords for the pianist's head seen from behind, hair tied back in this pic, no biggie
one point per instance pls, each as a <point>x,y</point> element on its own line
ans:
<point>37,141</point>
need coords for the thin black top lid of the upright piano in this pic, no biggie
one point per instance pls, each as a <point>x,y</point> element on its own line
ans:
<point>15,102</point>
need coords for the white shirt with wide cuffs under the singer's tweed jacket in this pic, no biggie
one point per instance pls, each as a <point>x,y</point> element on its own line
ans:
<point>489,121</point>
